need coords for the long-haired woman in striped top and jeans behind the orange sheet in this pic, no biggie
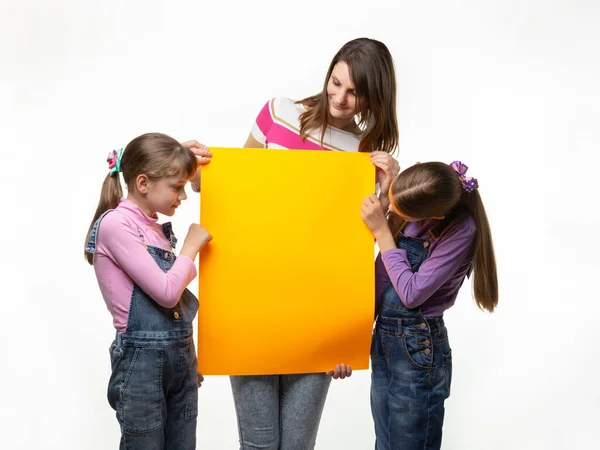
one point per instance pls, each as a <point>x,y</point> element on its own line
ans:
<point>355,111</point>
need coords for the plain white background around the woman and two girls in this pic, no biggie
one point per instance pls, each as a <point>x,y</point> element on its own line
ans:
<point>511,87</point>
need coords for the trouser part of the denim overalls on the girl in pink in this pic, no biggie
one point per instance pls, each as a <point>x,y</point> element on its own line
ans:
<point>154,391</point>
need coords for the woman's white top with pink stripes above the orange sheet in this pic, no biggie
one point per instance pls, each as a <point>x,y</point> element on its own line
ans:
<point>278,126</point>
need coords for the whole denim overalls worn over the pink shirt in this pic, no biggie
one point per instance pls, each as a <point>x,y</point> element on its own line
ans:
<point>154,381</point>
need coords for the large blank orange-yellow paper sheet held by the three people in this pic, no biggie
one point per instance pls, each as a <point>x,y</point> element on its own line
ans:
<point>287,283</point>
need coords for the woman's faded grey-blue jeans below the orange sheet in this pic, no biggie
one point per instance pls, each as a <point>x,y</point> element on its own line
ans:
<point>279,412</point>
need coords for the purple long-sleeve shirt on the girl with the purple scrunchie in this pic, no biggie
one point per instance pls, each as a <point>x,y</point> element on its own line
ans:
<point>434,287</point>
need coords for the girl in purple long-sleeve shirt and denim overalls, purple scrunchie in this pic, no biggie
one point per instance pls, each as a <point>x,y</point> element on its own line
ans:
<point>436,235</point>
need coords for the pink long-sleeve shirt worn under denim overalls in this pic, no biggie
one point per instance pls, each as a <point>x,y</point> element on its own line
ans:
<point>122,260</point>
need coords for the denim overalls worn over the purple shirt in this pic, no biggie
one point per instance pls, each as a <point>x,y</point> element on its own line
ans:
<point>411,365</point>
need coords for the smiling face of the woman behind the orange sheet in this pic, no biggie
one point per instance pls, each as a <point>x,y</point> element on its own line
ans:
<point>341,96</point>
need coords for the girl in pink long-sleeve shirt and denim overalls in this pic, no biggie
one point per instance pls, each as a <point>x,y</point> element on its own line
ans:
<point>154,382</point>
